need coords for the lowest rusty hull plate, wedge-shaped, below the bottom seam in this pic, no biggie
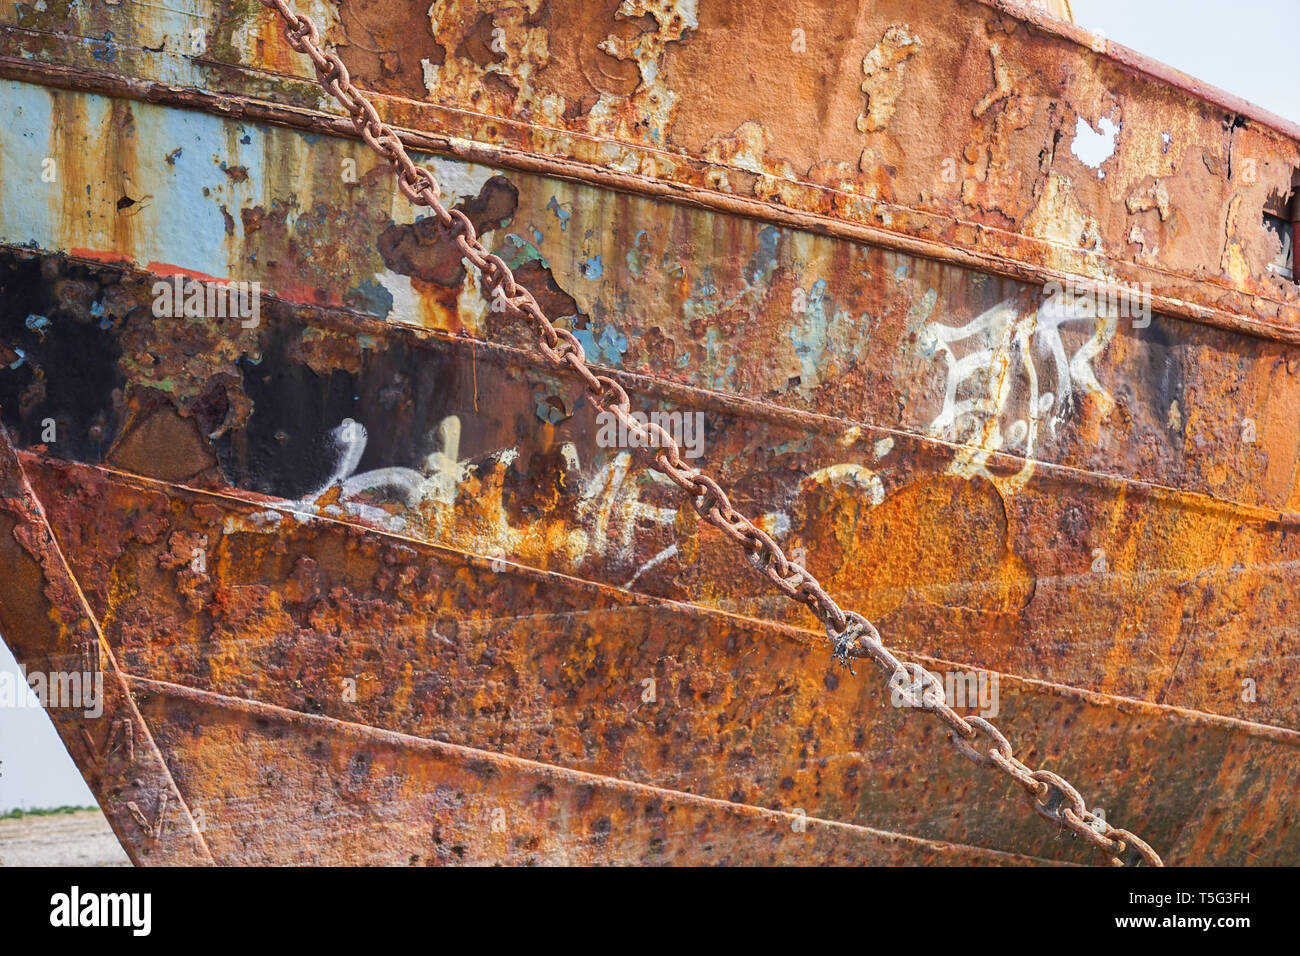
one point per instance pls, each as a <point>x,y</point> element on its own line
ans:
<point>391,799</point>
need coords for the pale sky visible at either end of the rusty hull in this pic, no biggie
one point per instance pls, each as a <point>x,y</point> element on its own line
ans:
<point>1245,47</point>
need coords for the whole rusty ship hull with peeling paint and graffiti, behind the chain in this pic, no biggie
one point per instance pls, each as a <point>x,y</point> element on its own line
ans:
<point>369,583</point>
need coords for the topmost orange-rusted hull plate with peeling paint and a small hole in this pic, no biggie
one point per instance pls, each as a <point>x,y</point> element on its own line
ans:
<point>961,126</point>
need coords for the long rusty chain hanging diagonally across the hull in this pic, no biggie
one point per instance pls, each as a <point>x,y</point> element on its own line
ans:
<point>852,635</point>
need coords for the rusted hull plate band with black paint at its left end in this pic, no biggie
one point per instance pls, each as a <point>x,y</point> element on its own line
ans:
<point>1055,573</point>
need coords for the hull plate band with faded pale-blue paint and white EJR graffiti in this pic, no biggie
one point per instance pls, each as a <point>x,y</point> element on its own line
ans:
<point>777,317</point>
